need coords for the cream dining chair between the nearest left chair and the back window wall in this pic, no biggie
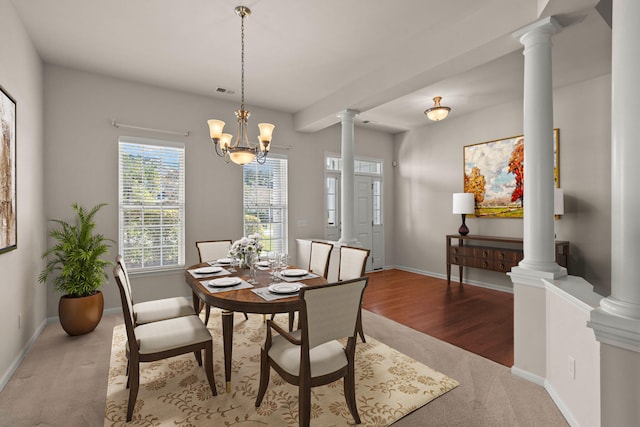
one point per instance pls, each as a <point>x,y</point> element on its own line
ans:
<point>152,311</point>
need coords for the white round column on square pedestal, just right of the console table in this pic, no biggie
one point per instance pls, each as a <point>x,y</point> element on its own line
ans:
<point>538,233</point>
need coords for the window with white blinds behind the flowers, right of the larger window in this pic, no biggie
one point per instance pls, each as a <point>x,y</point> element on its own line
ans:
<point>265,202</point>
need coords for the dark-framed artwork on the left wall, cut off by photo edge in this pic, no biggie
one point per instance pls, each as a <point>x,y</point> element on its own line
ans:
<point>8,228</point>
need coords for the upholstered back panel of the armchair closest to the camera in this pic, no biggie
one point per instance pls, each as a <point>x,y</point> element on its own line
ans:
<point>343,299</point>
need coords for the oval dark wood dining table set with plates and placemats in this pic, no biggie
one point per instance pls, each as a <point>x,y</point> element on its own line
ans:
<point>235,289</point>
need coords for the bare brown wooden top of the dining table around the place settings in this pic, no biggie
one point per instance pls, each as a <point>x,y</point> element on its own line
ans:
<point>243,300</point>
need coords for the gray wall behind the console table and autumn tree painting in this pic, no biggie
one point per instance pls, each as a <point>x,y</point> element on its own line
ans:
<point>430,169</point>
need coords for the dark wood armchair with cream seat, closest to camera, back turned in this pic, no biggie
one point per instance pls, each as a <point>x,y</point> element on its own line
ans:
<point>311,356</point>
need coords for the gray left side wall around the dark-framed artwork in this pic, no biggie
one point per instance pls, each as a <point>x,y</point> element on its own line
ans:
<point>22,305</point>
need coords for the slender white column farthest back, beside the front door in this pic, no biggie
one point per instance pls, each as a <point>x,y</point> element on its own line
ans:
<point>347,199</point>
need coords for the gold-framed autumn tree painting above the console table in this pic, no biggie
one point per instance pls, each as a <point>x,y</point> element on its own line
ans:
<point>494,173</point>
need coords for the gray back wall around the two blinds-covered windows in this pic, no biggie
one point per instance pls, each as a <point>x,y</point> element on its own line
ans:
<point>82,164</point>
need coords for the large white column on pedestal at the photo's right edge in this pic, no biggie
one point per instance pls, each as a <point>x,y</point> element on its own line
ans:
<point>616,322</point>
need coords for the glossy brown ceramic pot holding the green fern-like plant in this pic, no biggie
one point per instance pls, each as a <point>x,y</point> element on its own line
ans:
<point>80,315</point>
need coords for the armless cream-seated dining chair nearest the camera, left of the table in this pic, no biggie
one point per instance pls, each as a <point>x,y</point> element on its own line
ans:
<point>160,340</point>
